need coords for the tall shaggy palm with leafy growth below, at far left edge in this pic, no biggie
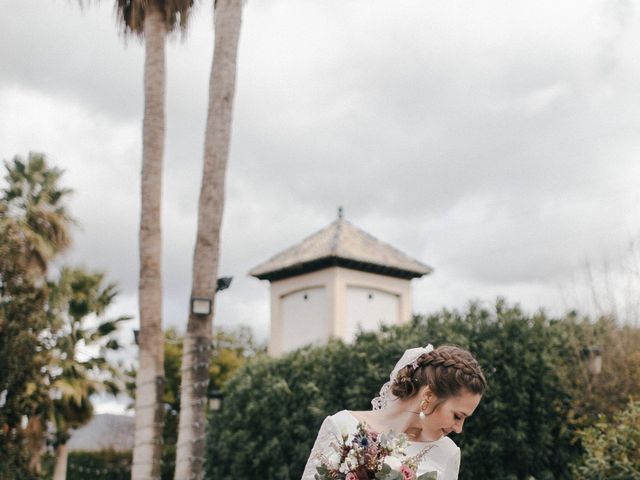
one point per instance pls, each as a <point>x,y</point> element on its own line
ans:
<point>35,228</point>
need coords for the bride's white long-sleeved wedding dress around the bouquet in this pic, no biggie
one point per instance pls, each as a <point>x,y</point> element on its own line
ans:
<point>444,456</point>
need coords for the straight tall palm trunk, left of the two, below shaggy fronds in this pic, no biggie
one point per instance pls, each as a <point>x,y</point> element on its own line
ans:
<point>150,378</point>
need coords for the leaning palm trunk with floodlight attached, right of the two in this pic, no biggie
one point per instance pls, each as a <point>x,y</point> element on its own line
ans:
<point>196,356</point>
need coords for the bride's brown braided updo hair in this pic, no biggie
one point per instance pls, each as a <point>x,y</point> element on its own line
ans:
<point>447,370</point>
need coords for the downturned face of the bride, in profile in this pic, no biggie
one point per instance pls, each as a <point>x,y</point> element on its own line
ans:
<point>449,415</point>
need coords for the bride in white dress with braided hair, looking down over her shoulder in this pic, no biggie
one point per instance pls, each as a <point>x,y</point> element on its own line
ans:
<point>430,393</point>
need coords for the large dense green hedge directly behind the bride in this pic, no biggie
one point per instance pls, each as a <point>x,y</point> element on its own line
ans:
<point>274,407</point>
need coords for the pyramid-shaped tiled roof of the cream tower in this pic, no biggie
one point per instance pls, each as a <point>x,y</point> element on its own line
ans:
<point>340,244</point>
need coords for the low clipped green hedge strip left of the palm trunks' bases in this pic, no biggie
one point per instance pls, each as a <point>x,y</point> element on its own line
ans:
<point>99,465</point>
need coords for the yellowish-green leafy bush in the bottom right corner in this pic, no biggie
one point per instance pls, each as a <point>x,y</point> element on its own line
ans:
<point>612,448</point>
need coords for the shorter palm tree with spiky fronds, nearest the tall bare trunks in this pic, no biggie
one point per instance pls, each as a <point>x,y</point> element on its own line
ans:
<point>76,365</point>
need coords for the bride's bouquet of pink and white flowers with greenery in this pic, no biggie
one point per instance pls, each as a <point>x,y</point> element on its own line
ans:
<point>368,455</point>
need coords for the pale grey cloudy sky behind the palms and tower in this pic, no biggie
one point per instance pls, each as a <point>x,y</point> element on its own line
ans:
<point>497,141</point>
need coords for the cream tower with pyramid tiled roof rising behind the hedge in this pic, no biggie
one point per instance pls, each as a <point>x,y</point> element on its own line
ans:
<point>335,282</point>
